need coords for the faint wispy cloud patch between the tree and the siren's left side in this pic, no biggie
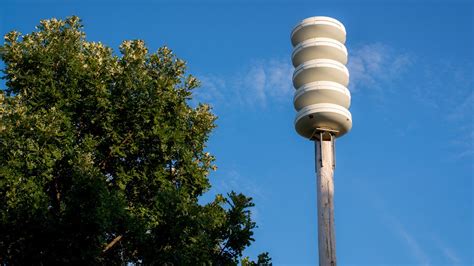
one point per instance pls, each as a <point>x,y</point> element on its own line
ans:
<point>257,84</point>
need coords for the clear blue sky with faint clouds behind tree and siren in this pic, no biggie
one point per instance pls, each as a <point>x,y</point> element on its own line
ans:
<point>404,174</point>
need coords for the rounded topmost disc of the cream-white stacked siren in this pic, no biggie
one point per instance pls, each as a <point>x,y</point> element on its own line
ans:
<point>319,26</point>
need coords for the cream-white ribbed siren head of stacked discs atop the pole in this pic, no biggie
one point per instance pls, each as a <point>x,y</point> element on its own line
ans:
<point>320,77</point>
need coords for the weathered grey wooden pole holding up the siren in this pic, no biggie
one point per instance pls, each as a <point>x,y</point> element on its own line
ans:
<point>325,193</point>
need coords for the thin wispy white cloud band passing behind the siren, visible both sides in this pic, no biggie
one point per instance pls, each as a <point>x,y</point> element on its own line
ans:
<point>264,81</point>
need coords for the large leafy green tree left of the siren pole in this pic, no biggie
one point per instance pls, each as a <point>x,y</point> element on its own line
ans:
<point>102,159</point>
